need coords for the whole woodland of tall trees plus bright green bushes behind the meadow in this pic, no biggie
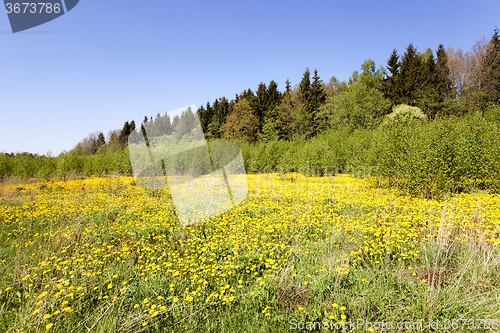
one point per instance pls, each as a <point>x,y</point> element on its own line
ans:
<point>428,121</point>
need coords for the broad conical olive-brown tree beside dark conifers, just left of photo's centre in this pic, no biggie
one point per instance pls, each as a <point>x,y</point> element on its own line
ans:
<point>242,123</point>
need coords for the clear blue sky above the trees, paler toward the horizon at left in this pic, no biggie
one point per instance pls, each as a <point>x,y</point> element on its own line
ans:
<point>109,61</point>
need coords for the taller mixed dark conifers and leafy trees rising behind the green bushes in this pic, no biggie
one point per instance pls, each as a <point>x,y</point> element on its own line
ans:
<point>453,82</point>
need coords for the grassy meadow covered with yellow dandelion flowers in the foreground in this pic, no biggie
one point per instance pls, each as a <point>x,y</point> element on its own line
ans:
<point>105,255</point>
